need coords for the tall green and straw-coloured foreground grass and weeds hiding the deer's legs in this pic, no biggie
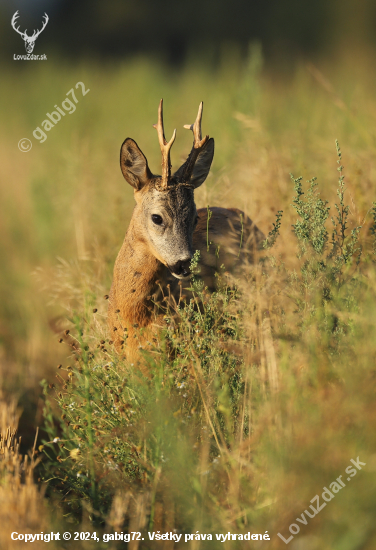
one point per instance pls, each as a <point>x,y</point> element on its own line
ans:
<point>248,409</point>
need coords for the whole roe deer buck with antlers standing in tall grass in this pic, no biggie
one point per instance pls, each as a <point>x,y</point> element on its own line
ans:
<point>165,230</point>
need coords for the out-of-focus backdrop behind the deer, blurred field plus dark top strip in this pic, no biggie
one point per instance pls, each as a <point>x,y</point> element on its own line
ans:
<point>280,82</point>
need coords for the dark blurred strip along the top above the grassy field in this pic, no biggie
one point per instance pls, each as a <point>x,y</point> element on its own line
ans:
<point>175,31</point>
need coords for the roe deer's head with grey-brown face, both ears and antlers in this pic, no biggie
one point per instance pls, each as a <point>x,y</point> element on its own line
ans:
<point>165,215</point>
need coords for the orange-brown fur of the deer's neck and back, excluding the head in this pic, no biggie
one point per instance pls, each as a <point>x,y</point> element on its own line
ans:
<point>137,272</point>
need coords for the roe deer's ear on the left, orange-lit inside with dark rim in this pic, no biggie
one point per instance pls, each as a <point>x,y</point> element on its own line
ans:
<point>134,165</point>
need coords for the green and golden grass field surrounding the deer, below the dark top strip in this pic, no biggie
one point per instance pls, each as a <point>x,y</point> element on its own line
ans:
<point>262,395</point>
